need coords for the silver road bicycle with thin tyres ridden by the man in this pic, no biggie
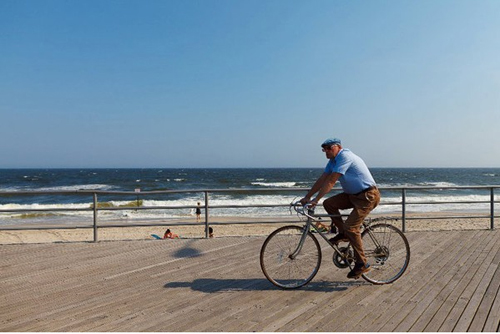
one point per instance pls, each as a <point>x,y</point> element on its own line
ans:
<point>291,255</point>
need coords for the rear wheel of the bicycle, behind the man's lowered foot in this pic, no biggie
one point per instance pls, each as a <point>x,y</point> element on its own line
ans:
<point>387,251</point>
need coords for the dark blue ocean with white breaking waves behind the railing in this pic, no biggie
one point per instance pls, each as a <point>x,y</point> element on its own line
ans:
<point>237,180</point>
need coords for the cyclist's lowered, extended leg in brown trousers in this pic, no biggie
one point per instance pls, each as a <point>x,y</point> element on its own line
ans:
<point>363,203</point>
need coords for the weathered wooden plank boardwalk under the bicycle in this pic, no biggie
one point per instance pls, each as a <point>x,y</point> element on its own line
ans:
<point>216,285</point>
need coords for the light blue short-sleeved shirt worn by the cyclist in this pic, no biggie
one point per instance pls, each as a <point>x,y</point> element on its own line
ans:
<point>356,176</point>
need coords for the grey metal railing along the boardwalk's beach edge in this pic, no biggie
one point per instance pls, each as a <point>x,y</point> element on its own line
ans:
<point>95,209</point>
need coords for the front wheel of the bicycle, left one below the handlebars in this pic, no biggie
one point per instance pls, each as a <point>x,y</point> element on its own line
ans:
<point>278,264</point>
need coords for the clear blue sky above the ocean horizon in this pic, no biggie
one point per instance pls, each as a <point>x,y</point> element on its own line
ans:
<point>214,83</point>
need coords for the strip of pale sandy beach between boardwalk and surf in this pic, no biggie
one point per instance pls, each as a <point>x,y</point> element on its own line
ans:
<point>222,226</point>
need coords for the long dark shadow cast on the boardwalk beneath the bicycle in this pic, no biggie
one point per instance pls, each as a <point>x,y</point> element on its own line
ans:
<point>211,285</point>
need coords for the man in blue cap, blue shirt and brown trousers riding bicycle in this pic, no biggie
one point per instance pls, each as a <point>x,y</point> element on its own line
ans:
<point>360,193</point>
